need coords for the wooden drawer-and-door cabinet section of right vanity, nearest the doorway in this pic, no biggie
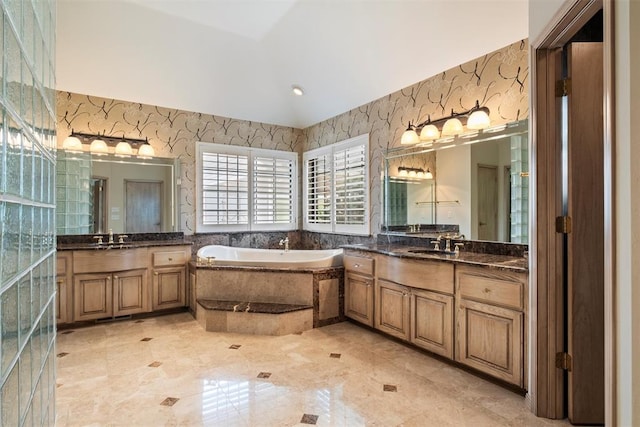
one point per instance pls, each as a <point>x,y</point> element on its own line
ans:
<point>490,307</point>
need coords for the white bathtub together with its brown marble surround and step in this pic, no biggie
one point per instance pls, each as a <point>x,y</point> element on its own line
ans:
<point>242,277</point>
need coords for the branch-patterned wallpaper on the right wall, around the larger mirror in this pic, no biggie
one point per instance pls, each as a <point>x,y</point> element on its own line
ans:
<point>498,80</point>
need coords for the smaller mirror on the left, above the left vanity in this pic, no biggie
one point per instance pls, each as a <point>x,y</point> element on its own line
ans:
<point>95,194</point>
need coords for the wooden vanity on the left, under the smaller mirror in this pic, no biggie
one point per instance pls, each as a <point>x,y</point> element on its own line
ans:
<point>96,282</point>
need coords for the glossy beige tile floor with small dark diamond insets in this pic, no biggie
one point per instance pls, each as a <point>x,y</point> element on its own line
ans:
<point>167,371</point>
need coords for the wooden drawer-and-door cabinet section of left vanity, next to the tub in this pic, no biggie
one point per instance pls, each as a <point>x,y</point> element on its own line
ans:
<point>169,276</point>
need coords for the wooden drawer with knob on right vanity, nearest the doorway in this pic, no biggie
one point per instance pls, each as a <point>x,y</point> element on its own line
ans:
<point>491,287</point>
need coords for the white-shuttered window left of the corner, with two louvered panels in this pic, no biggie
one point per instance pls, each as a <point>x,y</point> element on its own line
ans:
<point>244,188</point>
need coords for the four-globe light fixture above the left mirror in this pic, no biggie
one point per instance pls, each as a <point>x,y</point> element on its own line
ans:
<point>100,145</point>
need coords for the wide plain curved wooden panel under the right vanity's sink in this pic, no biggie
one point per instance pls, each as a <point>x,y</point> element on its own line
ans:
<point>428,275</point>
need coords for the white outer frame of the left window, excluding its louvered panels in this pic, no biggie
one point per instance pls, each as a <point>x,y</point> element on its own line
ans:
<point>251,154</point>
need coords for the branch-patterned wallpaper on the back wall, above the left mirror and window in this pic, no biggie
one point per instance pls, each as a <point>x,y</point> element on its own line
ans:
<point>172,133</point>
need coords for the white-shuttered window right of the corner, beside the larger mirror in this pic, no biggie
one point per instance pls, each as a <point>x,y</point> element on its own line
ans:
<point>336,191</point>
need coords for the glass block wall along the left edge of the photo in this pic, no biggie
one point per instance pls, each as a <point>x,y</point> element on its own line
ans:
<point>27,209</point>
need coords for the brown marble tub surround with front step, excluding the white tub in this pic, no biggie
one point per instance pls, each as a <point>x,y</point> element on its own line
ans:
<point>320,290</point>
